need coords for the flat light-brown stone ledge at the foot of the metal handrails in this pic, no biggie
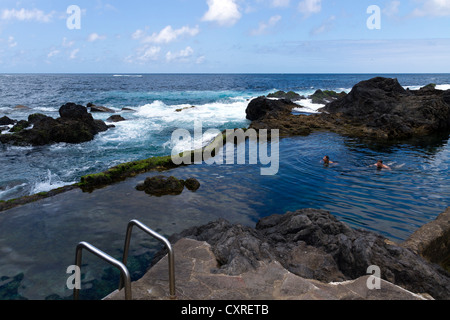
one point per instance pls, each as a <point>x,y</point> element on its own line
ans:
<point>195,263</point>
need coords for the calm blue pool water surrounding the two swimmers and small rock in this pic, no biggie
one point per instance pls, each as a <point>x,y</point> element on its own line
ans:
<point>37,241</point>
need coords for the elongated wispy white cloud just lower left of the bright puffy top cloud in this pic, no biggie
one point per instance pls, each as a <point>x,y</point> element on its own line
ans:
<point>166,35</point>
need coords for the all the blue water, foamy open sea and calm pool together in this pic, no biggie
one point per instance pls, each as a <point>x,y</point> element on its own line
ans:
<point>37,241</point>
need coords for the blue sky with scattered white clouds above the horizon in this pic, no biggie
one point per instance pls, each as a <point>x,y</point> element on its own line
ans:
<point>225,36</point>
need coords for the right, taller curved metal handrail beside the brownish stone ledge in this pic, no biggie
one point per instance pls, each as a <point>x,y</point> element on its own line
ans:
<point>159,237</point>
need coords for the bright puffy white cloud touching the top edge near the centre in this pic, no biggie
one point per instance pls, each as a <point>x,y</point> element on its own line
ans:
<point>224,12</point>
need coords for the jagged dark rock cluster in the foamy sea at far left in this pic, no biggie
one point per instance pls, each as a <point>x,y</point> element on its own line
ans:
<point>75,125</point>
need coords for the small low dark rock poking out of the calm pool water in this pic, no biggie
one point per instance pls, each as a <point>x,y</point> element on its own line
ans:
<point>161,185</point>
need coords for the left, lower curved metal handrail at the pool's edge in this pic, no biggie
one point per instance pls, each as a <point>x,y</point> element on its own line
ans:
<point>124,273</point>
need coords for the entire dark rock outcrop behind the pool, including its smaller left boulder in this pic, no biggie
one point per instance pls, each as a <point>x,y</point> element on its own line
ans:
<point>379,108</point>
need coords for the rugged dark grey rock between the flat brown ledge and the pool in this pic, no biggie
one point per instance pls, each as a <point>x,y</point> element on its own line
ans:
<point>313,244</point>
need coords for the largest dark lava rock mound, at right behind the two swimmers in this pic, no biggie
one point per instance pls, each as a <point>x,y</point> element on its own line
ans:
<point>384,107</point>
